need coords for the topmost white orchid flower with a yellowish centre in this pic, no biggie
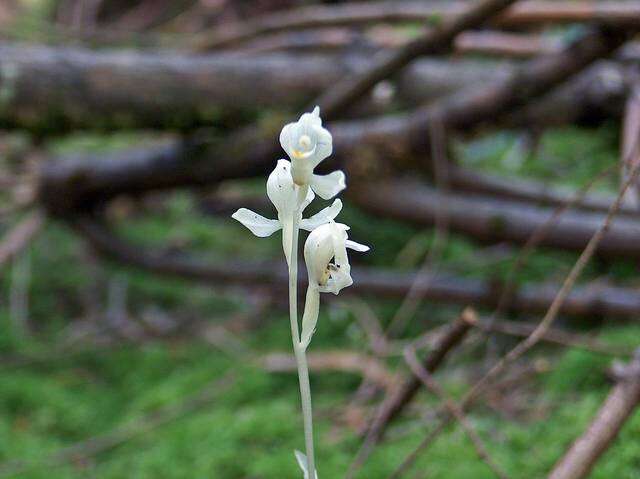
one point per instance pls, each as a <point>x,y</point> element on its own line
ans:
<point>307,143</point>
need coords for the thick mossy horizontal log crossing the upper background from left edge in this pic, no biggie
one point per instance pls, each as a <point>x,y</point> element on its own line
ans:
<point>55,89</point>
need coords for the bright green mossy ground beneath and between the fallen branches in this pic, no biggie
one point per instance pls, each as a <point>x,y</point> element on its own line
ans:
<point>250,429</point>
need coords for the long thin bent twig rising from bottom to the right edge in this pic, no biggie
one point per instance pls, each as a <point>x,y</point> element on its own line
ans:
<point>537,334</point>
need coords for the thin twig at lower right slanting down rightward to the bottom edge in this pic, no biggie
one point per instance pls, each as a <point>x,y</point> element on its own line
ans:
<point>454,409</point>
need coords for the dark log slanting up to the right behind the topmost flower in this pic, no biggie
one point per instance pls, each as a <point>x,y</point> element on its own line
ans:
<point>360,146</point>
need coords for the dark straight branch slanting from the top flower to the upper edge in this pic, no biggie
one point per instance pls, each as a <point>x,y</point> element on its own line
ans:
<point>344,94</point>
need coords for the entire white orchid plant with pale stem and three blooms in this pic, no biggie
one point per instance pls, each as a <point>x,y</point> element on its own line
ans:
<point>291,187</point>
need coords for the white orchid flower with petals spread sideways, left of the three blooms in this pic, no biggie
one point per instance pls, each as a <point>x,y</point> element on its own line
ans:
<point>284,196</point>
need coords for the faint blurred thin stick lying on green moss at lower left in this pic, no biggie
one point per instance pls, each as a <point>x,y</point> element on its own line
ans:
<point>98,444</point>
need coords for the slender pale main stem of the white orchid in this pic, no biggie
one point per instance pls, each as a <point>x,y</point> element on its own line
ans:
<point>298,349</point>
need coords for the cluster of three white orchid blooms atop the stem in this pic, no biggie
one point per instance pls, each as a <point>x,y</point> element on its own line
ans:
<point>291,188</point>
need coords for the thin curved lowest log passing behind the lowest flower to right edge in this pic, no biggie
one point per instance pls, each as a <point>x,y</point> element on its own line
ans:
<point>596,299</point>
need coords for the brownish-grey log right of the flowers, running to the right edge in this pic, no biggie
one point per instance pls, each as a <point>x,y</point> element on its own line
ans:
<point>491,220</point>
